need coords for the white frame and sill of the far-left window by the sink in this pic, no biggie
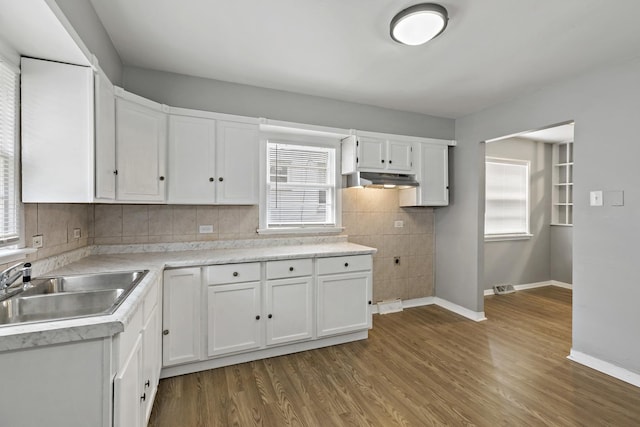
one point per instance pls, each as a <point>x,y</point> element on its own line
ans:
<point>14,250</point>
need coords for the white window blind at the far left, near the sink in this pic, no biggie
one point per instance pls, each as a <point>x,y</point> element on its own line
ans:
<point>9,221</point>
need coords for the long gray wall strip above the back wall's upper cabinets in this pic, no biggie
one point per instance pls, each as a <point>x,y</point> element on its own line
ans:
<point>223,97</point>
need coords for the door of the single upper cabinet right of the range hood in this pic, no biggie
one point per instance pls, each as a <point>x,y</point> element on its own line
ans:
<point>434,182</point>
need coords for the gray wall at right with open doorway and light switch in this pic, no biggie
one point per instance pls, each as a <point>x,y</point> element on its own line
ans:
<point>605,107</point>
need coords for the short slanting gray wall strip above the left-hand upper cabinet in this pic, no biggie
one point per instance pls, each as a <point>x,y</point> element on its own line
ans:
<point>85,21</point>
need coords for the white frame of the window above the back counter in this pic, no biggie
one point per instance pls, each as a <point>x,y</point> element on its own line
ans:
<point>308,141</point>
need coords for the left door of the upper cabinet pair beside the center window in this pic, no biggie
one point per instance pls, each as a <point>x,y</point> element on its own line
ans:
<point>192,175</point>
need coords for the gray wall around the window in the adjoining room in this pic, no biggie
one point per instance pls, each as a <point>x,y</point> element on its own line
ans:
<point>520,262</point>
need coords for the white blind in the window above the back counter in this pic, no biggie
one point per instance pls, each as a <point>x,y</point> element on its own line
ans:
<point>301,185</point>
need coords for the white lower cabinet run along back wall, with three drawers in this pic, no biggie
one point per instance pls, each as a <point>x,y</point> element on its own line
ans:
<point>262,309</point>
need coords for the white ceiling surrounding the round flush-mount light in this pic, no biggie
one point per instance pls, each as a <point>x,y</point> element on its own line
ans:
<point>491,51</point>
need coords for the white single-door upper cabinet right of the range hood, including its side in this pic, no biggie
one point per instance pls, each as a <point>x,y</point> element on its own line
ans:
<point>433,176</point>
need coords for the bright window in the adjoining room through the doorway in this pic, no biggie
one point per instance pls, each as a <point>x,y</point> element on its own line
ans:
<point>506,199</point>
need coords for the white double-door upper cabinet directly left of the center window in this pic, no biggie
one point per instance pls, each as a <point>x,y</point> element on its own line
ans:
<point>212,161</point>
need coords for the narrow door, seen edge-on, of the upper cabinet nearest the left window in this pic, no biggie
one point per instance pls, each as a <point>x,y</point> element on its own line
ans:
<point>105,138</point>
